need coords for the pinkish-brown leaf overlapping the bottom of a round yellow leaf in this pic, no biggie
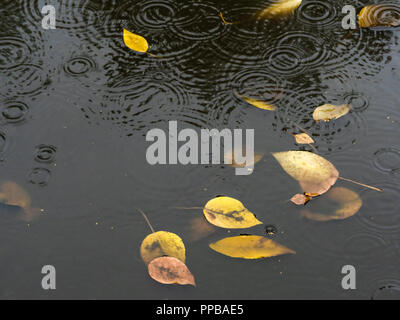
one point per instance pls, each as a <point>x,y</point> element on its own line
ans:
<point>169,270</point>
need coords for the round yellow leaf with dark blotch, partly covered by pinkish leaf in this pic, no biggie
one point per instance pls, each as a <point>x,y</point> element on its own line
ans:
<point>162,243</point>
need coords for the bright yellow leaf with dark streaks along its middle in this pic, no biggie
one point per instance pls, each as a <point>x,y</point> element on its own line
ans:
<point>226,212</point>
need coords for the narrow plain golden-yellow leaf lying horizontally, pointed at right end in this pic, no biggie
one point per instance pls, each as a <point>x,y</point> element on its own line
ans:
<point>249,247</point>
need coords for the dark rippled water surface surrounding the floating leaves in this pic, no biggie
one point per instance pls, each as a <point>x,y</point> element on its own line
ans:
<point>76,104</point>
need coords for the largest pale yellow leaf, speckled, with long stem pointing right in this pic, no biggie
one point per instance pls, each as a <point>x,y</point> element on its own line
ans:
<point>315,174</point>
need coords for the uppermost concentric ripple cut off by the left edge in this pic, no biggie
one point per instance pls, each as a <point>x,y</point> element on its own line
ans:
<point>13,52</point>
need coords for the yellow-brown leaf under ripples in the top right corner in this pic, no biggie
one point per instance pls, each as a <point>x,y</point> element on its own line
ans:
<point>381,15</point>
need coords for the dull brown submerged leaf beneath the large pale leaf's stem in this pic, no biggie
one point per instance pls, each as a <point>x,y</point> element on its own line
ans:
<point>349,201</point>
